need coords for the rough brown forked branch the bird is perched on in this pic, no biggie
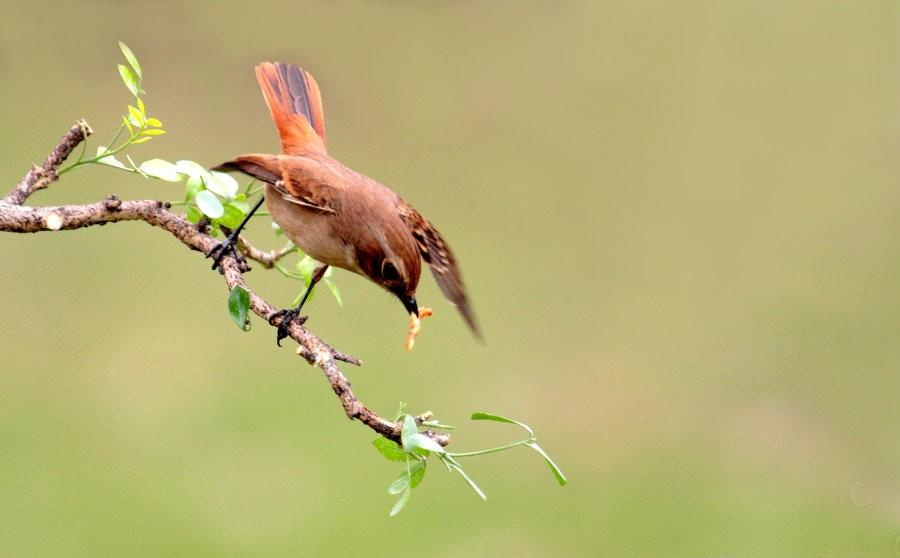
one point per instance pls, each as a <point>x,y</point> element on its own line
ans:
<point>14,217</point>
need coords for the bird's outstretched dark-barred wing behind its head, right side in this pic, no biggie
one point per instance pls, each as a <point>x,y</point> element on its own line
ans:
<point>437,254</point>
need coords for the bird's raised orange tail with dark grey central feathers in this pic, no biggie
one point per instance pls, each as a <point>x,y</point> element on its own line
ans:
<point>295,104</point>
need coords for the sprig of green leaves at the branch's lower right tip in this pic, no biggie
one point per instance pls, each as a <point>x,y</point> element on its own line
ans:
<point>416,447</point>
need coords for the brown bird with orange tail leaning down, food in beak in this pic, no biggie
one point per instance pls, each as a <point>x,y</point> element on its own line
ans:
<point>336,215</point>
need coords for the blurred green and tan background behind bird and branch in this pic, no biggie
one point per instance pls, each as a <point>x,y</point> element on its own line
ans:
<point>678,223</point>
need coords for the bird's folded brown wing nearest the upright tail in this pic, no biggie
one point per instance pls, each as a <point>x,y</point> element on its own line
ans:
<point>293,186</point>
